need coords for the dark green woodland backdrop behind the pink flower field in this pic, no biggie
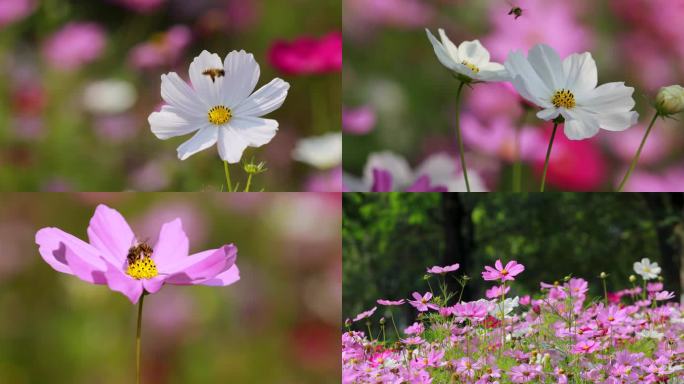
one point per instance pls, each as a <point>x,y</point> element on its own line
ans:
<point>390,239</point>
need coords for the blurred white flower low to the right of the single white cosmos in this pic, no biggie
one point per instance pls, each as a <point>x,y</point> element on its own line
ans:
<point>322,152</point>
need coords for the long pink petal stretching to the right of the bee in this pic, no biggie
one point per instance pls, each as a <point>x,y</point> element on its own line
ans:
<point>202,266</point>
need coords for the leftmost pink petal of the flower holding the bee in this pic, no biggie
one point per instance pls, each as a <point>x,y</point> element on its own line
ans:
<point>53,245</point>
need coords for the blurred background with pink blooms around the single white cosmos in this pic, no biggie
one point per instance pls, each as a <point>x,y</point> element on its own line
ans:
<point>79,79</point>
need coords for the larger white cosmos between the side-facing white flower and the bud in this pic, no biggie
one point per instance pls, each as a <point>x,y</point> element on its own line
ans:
<point>568,88</point>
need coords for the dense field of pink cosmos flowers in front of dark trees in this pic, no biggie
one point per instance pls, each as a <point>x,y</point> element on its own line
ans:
<point>560,335</point>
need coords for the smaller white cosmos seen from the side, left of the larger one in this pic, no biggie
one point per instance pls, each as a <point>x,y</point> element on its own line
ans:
<point>469,59</point>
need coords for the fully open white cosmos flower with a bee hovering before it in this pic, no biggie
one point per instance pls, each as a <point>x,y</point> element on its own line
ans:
<point>219,106</point>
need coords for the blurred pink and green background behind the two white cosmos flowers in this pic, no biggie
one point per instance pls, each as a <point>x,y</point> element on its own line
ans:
<point>398,97</point>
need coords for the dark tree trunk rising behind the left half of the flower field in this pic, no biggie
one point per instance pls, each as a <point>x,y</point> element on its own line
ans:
<point>459,238</point>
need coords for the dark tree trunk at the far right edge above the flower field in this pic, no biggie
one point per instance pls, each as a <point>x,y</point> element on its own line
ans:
<point>667,210</point>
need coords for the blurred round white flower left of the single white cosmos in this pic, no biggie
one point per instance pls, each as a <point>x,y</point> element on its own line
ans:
<point>109,96</point>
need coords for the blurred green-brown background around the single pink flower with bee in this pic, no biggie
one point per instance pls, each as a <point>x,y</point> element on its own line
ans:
<point>279,324</point>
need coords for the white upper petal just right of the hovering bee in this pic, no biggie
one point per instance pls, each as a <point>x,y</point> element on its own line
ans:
<point>242,74</point>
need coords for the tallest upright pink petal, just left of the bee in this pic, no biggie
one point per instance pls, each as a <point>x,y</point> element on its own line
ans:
<point>110,233</point>
